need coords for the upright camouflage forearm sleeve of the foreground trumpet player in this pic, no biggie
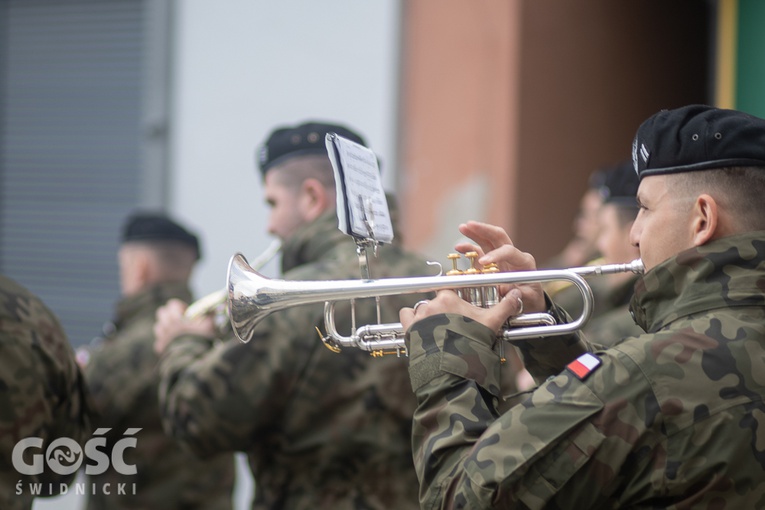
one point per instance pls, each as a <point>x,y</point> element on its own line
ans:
<point>455,374</point>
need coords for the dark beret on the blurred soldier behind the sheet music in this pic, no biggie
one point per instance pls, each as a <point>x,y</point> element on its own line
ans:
<point>304,139</point>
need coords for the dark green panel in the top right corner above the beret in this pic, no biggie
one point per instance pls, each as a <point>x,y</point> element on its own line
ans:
<point>750,79</point>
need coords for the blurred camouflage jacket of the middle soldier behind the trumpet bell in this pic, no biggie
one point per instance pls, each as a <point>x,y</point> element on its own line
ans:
<point>321,429</point>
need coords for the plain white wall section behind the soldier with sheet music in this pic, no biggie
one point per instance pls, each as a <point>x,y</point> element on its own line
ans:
<point>245,66</point>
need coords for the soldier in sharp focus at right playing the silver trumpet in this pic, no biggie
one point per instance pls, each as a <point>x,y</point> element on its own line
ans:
<point>668,419</point>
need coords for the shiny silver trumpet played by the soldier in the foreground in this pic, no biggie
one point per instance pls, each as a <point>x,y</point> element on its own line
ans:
<point>252,296</point>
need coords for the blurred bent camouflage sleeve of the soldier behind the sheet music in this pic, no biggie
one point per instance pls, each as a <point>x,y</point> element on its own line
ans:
<point>202,386</point>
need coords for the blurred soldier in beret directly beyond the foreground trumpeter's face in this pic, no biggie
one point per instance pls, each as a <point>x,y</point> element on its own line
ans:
<point>616,216</point>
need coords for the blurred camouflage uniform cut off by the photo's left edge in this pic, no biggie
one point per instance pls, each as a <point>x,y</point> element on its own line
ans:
<point>42,393</point>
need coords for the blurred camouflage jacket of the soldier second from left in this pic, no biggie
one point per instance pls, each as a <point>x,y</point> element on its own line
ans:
<point>123,382</point>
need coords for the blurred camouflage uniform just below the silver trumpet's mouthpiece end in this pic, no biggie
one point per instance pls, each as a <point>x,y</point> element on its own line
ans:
<point>611,326</point>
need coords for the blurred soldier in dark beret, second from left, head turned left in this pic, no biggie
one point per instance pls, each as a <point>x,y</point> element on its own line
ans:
<point>156,258</point>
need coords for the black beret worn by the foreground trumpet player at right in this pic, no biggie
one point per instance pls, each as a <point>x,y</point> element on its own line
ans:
<point>698,137</point>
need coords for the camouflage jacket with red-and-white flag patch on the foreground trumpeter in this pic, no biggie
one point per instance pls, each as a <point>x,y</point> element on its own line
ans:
<point>669,419</point>
